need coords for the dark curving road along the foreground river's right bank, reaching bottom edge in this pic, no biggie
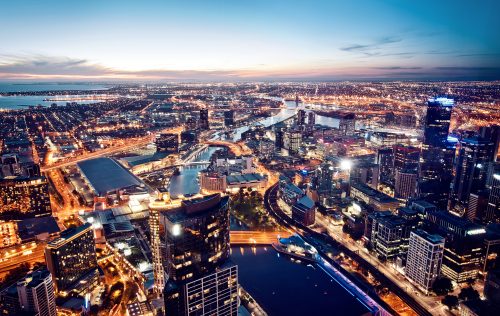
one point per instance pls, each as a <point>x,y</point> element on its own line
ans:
<point>273,208</point>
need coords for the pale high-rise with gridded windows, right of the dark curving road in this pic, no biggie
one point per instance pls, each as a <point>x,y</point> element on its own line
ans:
<point>425,254</point>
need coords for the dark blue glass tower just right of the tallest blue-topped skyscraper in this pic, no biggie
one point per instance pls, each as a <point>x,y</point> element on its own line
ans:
<point>471,169</point>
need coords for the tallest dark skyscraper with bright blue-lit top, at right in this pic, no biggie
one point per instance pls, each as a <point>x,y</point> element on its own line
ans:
<point>437,153</point>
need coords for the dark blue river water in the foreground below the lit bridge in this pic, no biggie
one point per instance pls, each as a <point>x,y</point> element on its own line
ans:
<point>284,287</point>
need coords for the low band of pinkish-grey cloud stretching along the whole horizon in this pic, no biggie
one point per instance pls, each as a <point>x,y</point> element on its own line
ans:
<point>38,67</point>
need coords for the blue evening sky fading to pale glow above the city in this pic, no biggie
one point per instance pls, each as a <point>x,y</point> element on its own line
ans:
<point>247,40</point>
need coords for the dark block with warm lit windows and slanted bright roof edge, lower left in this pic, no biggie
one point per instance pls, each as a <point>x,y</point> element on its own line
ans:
<point>72,261</point>
